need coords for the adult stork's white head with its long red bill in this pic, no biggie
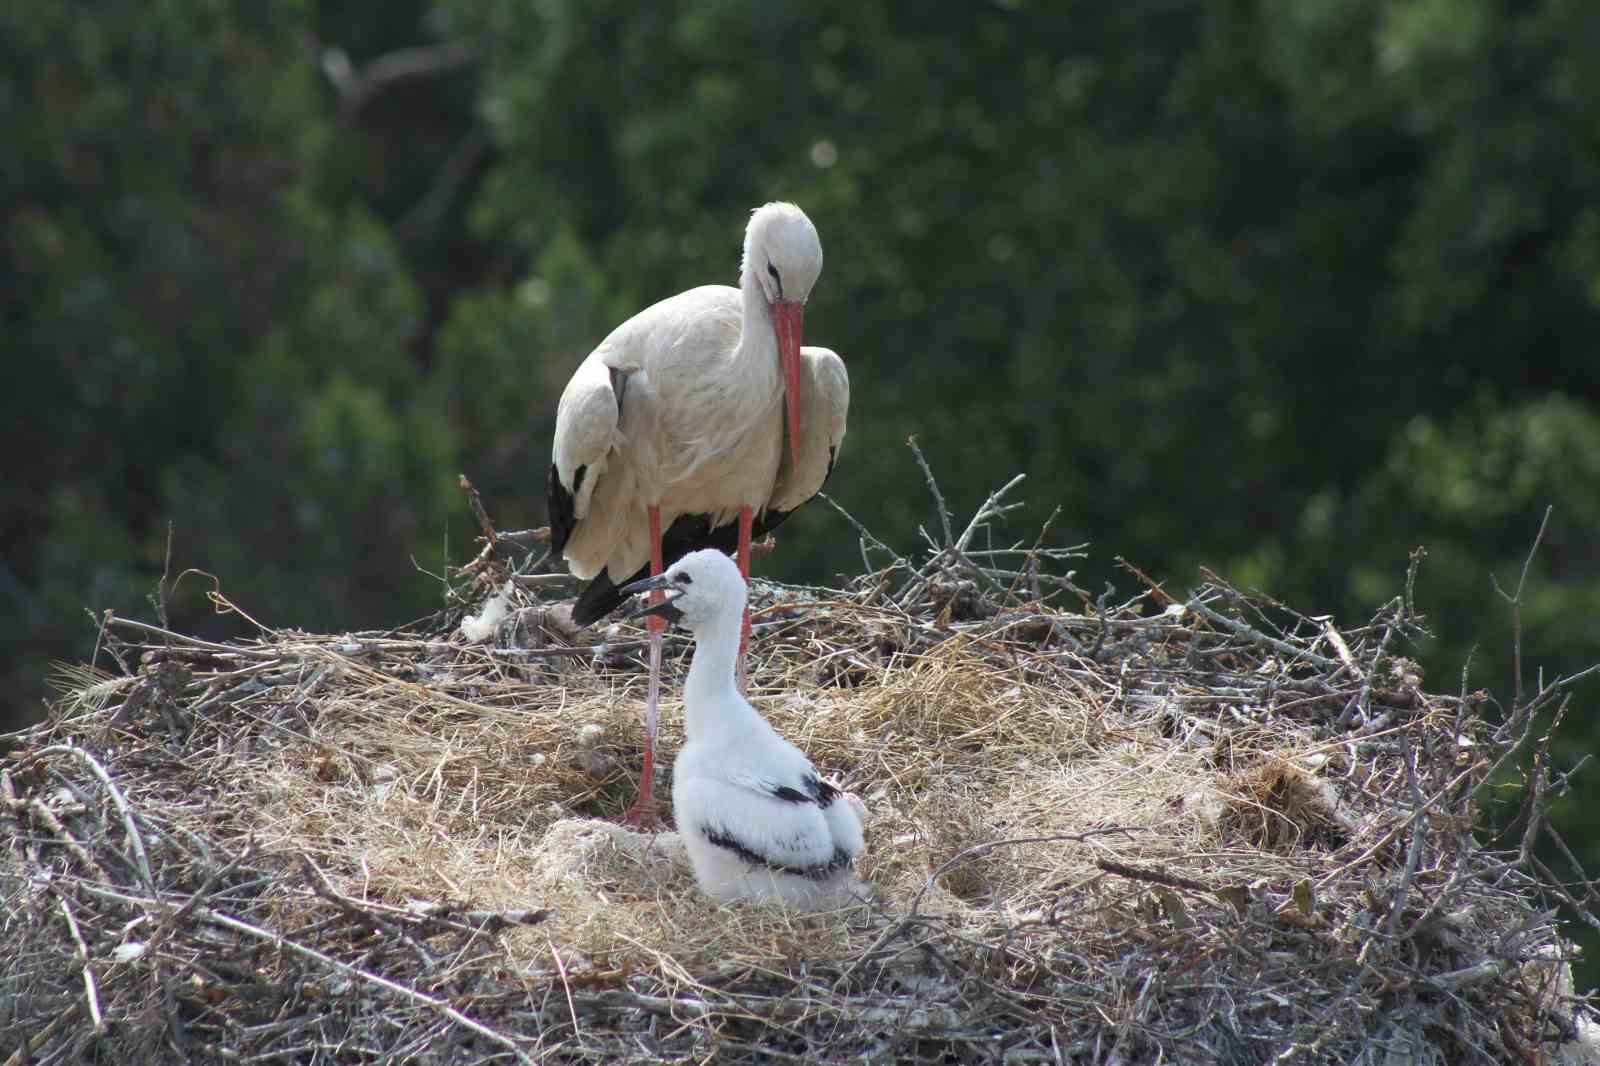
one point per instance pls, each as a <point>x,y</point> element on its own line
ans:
<point>785,258</point>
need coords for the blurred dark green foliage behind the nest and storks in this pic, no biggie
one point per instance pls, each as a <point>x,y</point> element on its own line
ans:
<point>1279,289</point>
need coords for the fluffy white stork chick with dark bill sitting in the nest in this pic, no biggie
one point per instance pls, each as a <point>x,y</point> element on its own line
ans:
<point>754,816</point>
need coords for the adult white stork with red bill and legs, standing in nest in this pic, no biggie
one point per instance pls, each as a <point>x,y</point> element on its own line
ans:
<point>671,435</point>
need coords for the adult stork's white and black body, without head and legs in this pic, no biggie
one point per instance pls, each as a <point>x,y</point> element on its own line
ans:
<point>668,411</point>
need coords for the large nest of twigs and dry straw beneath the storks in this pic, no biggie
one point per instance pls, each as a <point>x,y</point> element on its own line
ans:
<point>1212,832</point>
